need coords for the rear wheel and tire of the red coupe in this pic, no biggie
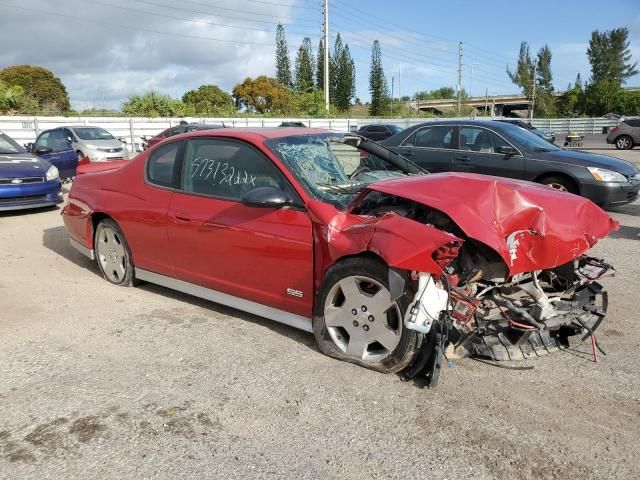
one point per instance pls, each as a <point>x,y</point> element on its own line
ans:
<point>113,255</point>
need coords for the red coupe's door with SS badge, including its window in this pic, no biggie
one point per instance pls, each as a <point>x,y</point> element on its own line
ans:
<point>263,255</point>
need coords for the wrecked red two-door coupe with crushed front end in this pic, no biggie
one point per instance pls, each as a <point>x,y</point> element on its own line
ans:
<point>391,268</point>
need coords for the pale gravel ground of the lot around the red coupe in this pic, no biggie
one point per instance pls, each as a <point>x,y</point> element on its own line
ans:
<point>98,381</point>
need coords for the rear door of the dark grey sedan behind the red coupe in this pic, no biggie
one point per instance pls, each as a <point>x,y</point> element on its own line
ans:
<point>431,147</point>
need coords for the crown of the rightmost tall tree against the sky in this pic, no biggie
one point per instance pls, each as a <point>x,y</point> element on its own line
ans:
<point>610,57</point>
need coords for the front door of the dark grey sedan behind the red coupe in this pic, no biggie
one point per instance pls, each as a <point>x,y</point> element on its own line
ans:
<point>479,151</point>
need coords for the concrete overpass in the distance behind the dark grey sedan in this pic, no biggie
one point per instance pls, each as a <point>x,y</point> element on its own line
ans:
<point>501,105</point>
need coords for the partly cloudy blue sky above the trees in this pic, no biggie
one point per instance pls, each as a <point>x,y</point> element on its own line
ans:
<point>106,50</point>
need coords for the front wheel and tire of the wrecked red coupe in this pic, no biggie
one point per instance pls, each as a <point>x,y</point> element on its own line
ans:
<point>355,319</point>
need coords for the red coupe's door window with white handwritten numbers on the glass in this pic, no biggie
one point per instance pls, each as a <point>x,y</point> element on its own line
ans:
<point>228,169</point>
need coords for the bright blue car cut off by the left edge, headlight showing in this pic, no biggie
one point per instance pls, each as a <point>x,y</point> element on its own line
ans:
<point>26,181</point>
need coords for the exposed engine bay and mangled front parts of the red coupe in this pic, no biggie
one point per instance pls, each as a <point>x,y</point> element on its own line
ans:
<point>477,307</point>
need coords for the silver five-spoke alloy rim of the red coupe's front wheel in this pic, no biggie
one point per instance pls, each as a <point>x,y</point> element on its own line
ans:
<point>362,320</point>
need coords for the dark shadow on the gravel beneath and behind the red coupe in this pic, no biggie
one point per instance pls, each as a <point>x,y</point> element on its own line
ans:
<point>57,240</point>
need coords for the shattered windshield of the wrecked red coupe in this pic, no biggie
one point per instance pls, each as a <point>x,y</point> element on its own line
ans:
<point>329,169</point>
